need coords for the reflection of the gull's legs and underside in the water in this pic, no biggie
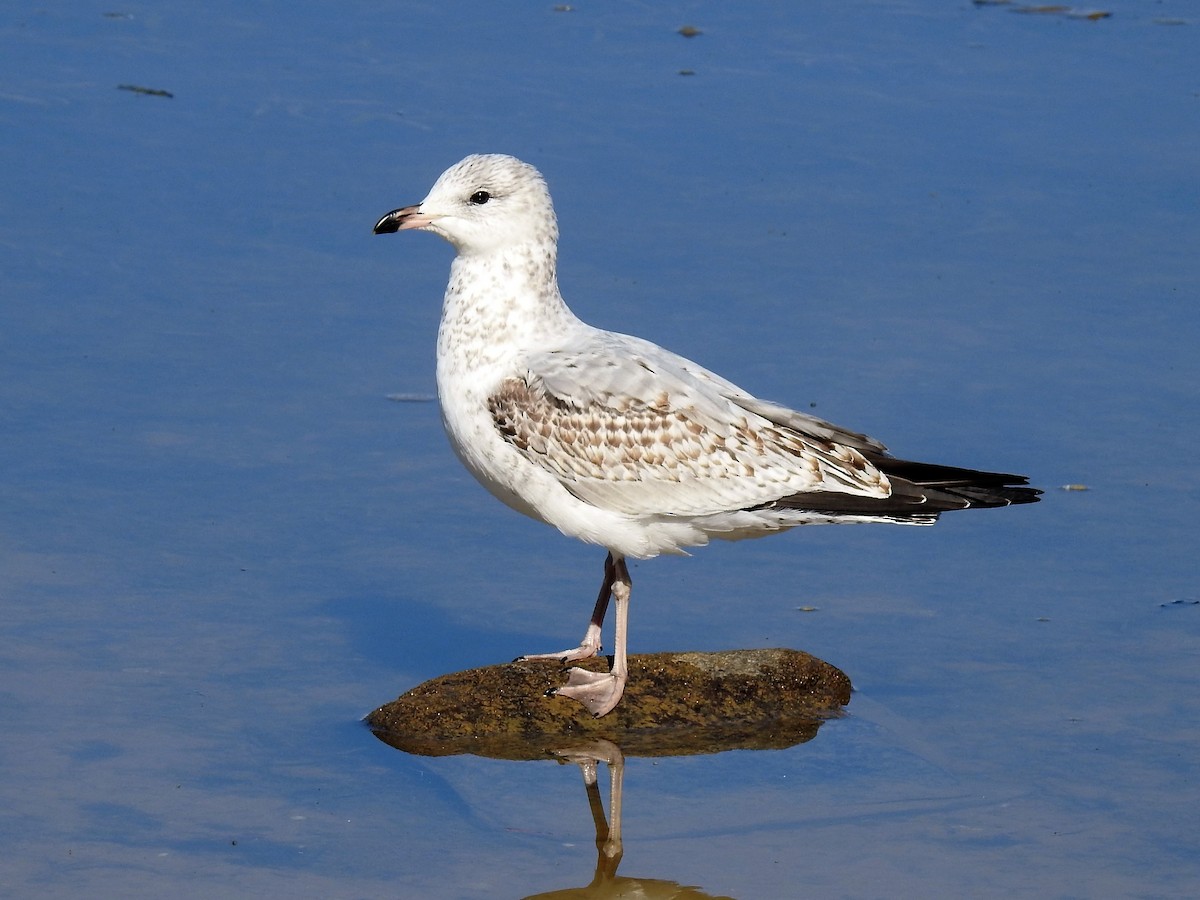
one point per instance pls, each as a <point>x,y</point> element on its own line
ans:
<point>607,885</point>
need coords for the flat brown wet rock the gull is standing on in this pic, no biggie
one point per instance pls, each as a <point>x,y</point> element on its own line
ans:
<point>675,704</point>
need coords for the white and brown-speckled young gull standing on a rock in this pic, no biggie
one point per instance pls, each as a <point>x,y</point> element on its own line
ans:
<point>619,442</point>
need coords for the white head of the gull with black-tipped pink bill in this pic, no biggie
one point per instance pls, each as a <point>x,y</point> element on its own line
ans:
<point>485,203</point>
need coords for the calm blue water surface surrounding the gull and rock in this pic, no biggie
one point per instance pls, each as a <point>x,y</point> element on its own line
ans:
<point>969,232</point>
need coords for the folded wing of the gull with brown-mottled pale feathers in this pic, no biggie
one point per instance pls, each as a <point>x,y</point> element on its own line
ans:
<point>631,428</point>
